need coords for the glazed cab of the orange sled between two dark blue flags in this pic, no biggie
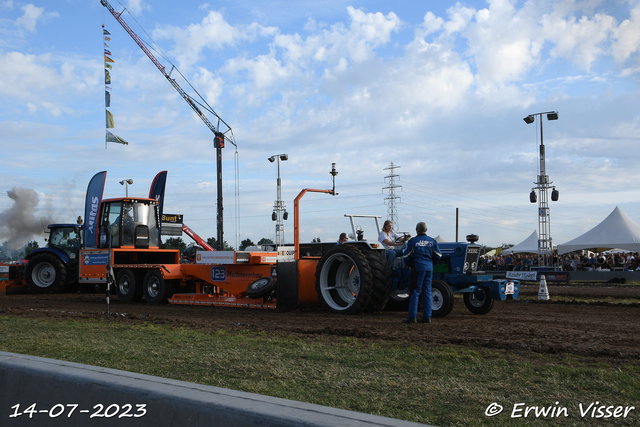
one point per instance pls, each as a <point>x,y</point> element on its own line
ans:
<point>129,223</point>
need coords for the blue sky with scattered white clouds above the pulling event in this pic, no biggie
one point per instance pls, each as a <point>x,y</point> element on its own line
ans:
<point>438,89</point>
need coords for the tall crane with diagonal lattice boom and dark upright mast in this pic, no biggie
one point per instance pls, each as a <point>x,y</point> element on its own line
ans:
<point>222,131</point>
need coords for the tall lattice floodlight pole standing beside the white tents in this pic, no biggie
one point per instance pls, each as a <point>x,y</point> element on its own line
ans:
<point>545,243</point>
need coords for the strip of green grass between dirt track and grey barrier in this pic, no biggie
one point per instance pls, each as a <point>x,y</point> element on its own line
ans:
<point>446,386</point>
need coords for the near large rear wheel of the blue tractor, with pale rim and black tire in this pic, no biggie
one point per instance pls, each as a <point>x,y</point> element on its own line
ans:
<point>344,280</point>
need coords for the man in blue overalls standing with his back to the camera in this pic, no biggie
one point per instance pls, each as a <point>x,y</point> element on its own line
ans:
<point>420,252</point>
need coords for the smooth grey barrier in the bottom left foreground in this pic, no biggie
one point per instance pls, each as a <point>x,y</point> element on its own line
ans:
<point>35,391</point>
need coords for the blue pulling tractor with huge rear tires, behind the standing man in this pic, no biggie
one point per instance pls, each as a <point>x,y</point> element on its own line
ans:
<point>389,285</point>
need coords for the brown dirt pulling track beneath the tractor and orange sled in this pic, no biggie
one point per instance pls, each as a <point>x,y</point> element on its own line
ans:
<point>606,331</point>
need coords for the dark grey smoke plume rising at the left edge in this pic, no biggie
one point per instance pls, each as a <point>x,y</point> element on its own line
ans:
<point>18,224</point>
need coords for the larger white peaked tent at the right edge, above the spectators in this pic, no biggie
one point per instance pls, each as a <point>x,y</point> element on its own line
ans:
<point>617,231</point>
